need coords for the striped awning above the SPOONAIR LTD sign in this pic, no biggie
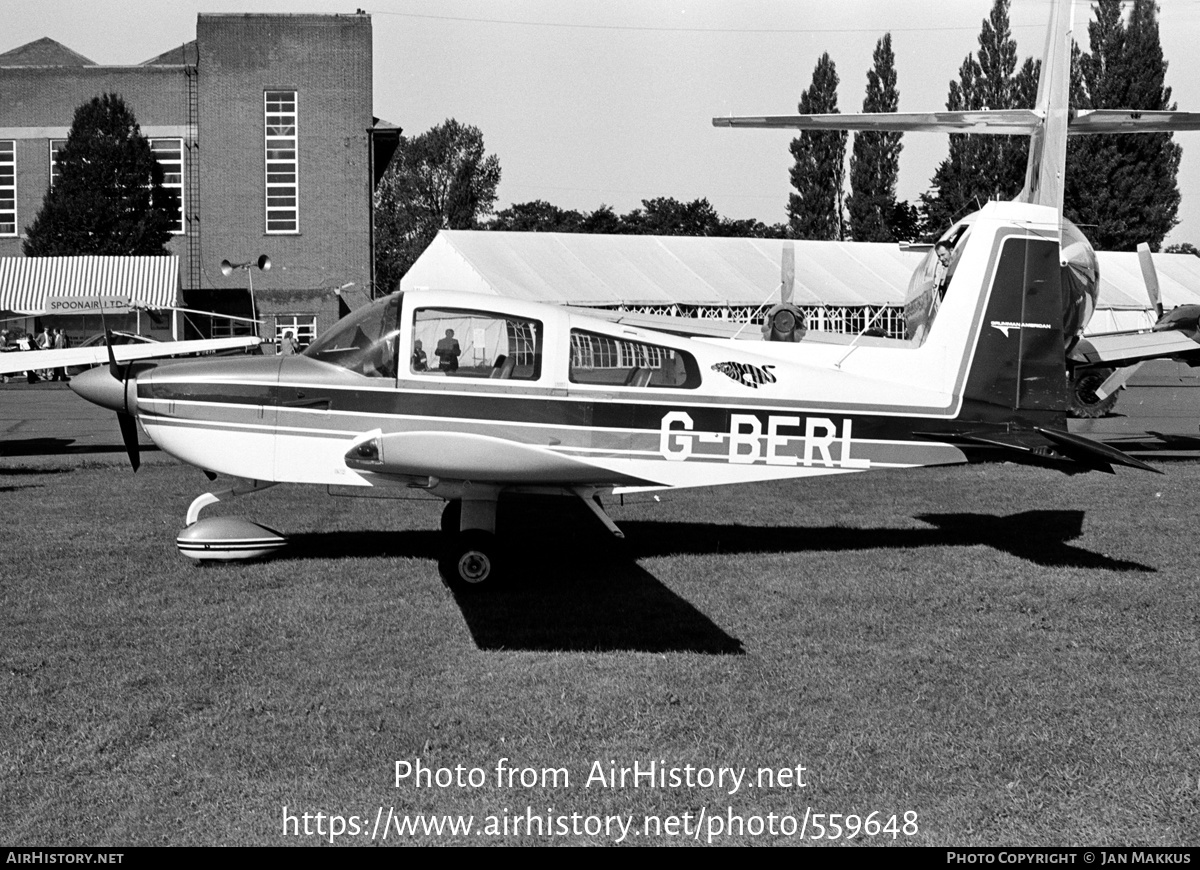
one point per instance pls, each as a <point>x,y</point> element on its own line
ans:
<point>87,285</point>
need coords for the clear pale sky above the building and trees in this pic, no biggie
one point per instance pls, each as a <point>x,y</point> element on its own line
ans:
<point>590,103</point>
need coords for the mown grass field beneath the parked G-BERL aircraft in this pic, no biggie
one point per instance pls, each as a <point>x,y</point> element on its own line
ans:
<point>1010,655</point>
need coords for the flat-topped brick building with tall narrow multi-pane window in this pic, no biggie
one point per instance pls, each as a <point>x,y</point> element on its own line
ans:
<point>263,124</point>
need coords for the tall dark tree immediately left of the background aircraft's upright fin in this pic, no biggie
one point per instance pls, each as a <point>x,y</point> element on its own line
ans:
<point>985,167</point>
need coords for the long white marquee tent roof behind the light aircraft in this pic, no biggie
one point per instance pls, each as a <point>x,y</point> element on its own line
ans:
<point>653,271</point>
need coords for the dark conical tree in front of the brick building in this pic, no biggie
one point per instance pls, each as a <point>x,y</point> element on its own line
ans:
<point>109,199</point>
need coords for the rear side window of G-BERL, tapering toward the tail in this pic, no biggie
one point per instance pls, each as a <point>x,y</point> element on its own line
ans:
<point>603,359</point>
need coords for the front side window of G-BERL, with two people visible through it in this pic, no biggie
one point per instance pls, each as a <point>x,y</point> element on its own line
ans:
<point>476,345</point>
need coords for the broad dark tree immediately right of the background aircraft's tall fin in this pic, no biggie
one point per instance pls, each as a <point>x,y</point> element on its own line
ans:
<point>1124,188</point>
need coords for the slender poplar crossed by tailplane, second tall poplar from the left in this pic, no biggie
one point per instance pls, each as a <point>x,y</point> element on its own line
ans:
<point>875,159</point>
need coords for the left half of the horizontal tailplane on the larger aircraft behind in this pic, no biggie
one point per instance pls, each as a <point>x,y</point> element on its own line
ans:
<point>1001,122</point>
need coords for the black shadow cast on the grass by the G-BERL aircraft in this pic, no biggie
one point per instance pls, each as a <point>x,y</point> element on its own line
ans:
<point>584,591</point>
